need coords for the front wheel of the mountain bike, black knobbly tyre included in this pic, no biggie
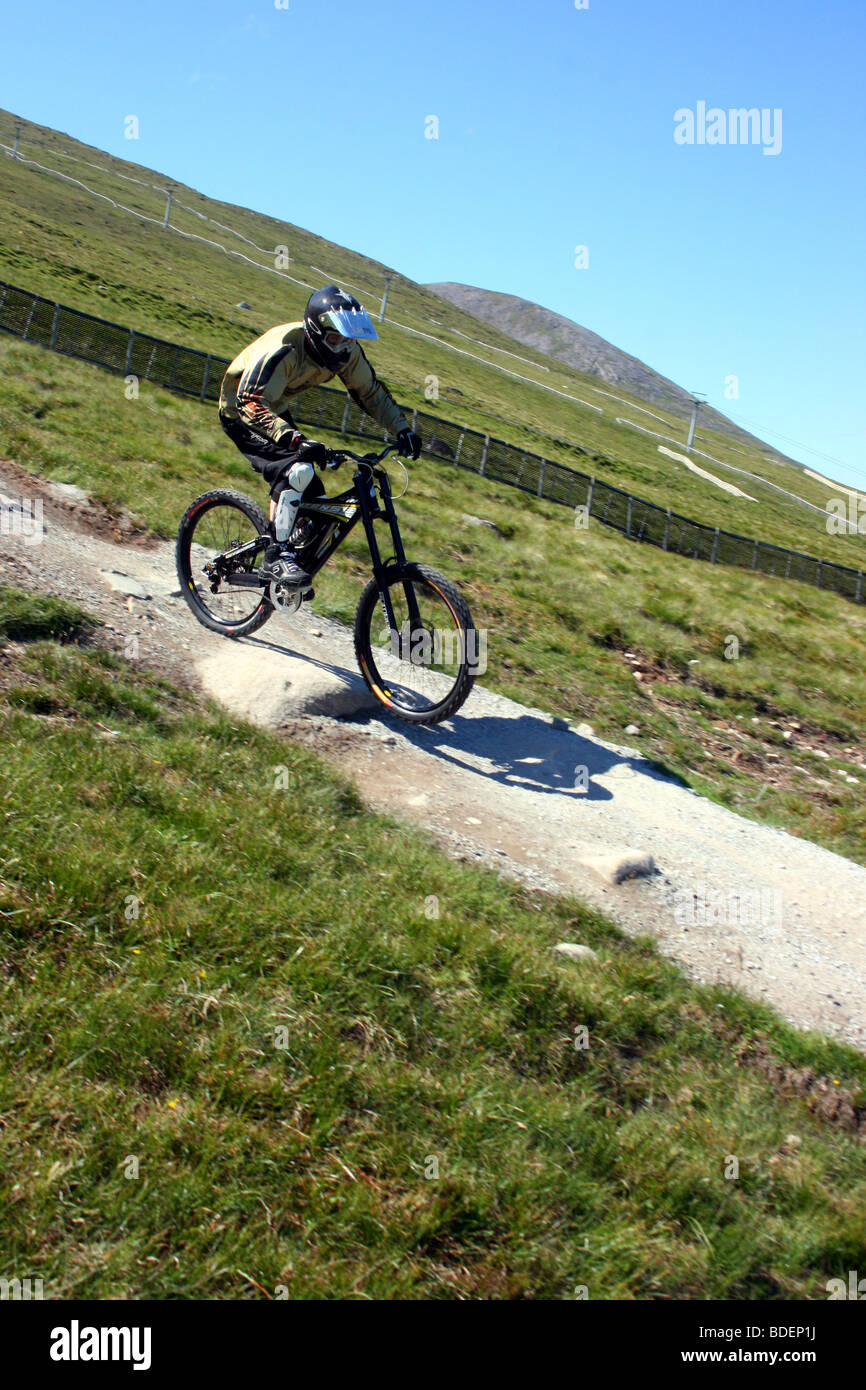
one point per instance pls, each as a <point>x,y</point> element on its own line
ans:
<point>425,667</point>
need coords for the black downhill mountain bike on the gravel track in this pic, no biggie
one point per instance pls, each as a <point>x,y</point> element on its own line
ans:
<point>415,639</point>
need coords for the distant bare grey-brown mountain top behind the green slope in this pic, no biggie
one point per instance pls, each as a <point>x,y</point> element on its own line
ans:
<point>558,337</point>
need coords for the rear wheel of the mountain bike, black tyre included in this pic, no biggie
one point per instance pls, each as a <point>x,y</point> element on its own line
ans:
<point>215,526</point>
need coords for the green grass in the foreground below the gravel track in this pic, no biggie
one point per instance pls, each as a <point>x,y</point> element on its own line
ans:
<point>166,908</point>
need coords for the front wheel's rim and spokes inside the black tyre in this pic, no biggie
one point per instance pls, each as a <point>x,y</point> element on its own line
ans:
<point>416,669</point>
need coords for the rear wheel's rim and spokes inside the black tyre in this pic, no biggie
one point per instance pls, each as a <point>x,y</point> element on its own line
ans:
<point>219,529</point>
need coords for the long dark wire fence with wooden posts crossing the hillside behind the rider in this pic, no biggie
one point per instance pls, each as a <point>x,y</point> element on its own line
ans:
<point>199,375</point>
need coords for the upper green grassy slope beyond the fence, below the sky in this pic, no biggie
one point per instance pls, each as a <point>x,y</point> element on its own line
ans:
<point>60,241</point>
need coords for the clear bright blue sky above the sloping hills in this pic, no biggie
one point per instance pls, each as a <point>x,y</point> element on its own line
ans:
<point>557,130</point>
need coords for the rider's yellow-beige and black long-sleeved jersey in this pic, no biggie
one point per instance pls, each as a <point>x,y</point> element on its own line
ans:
<point>262,382</point>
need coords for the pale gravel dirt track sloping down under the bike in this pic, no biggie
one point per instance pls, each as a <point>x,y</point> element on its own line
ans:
<point>732,901</point>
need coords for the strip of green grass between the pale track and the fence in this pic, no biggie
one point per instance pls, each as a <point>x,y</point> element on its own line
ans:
<point>562,607</point>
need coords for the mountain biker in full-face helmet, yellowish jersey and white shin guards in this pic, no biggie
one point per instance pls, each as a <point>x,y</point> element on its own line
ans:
<point>255,409</point>
